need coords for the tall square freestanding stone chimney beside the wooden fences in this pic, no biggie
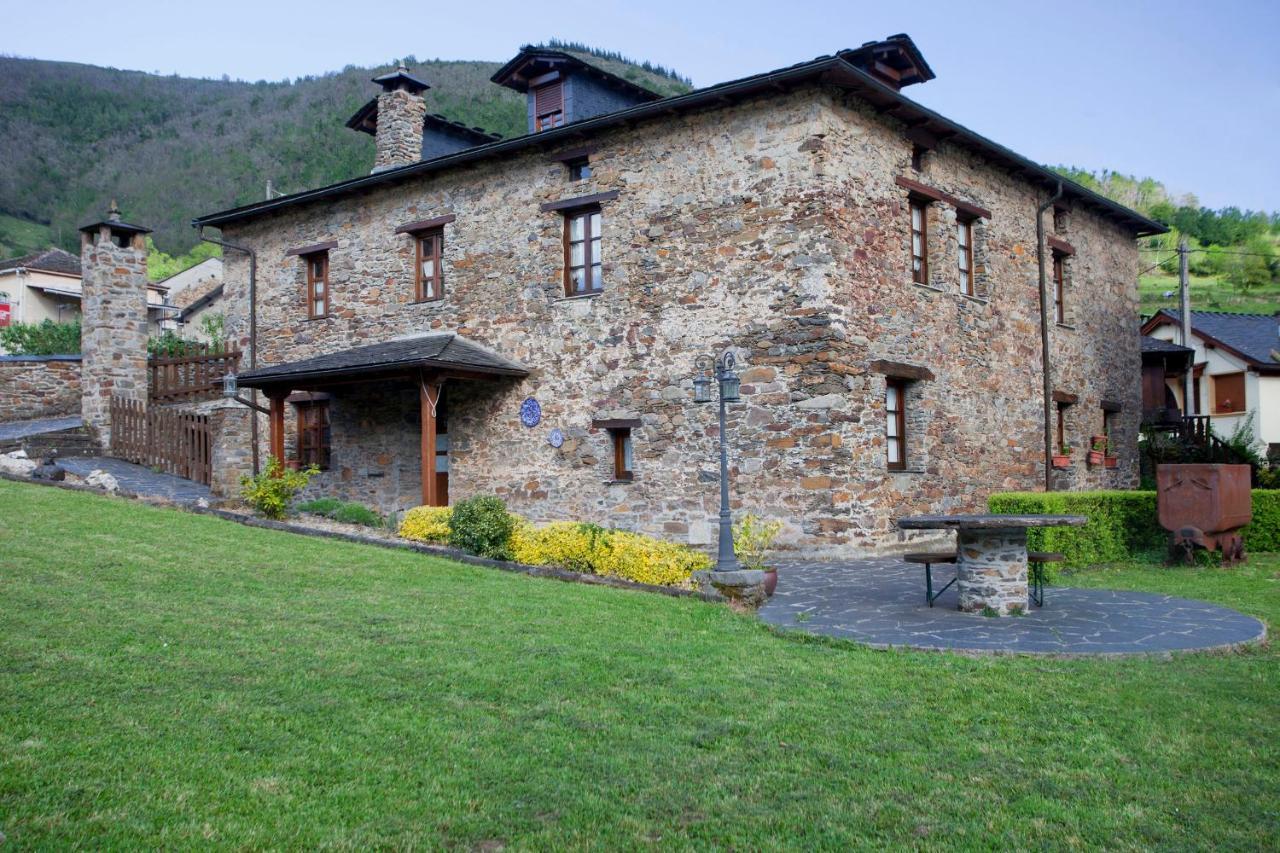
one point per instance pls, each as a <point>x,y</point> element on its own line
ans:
<point>115,320</point>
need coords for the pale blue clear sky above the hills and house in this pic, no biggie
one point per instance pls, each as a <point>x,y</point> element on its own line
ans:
<point>1183,93</point>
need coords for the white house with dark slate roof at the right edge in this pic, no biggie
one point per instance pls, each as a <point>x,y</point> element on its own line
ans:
<point>1236,370</point>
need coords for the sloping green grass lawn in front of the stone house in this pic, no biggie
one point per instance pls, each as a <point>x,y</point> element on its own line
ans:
<point>172,681</point>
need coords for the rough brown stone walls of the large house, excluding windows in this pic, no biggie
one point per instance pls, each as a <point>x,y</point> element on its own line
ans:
<point>775,227</point>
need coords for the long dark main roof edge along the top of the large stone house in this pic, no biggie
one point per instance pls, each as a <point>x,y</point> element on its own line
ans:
<point>835,71</point>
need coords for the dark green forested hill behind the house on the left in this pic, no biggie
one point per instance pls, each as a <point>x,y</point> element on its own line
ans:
<point>75,136</point>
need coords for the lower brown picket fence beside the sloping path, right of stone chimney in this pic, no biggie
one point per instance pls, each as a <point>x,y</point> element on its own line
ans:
<point>172,441</point>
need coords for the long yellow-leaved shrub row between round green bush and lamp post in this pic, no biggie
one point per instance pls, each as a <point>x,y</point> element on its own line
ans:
<point>618,554</point>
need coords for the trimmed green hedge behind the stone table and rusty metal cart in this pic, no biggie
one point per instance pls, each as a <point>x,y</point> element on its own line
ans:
<point>1122,524</point>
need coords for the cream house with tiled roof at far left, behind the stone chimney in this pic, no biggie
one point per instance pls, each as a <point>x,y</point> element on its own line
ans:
<point>47,286</point>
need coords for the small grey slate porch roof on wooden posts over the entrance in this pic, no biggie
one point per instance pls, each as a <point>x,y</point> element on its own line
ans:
<point>438,352</point>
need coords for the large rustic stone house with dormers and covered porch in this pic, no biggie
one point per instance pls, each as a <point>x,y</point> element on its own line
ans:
<point>525,317</point>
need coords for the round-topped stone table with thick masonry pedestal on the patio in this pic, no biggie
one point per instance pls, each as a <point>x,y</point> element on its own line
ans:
<point>991,555</point>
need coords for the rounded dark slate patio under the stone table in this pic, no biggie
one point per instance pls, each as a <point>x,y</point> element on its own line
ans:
<point>881,603</point>
